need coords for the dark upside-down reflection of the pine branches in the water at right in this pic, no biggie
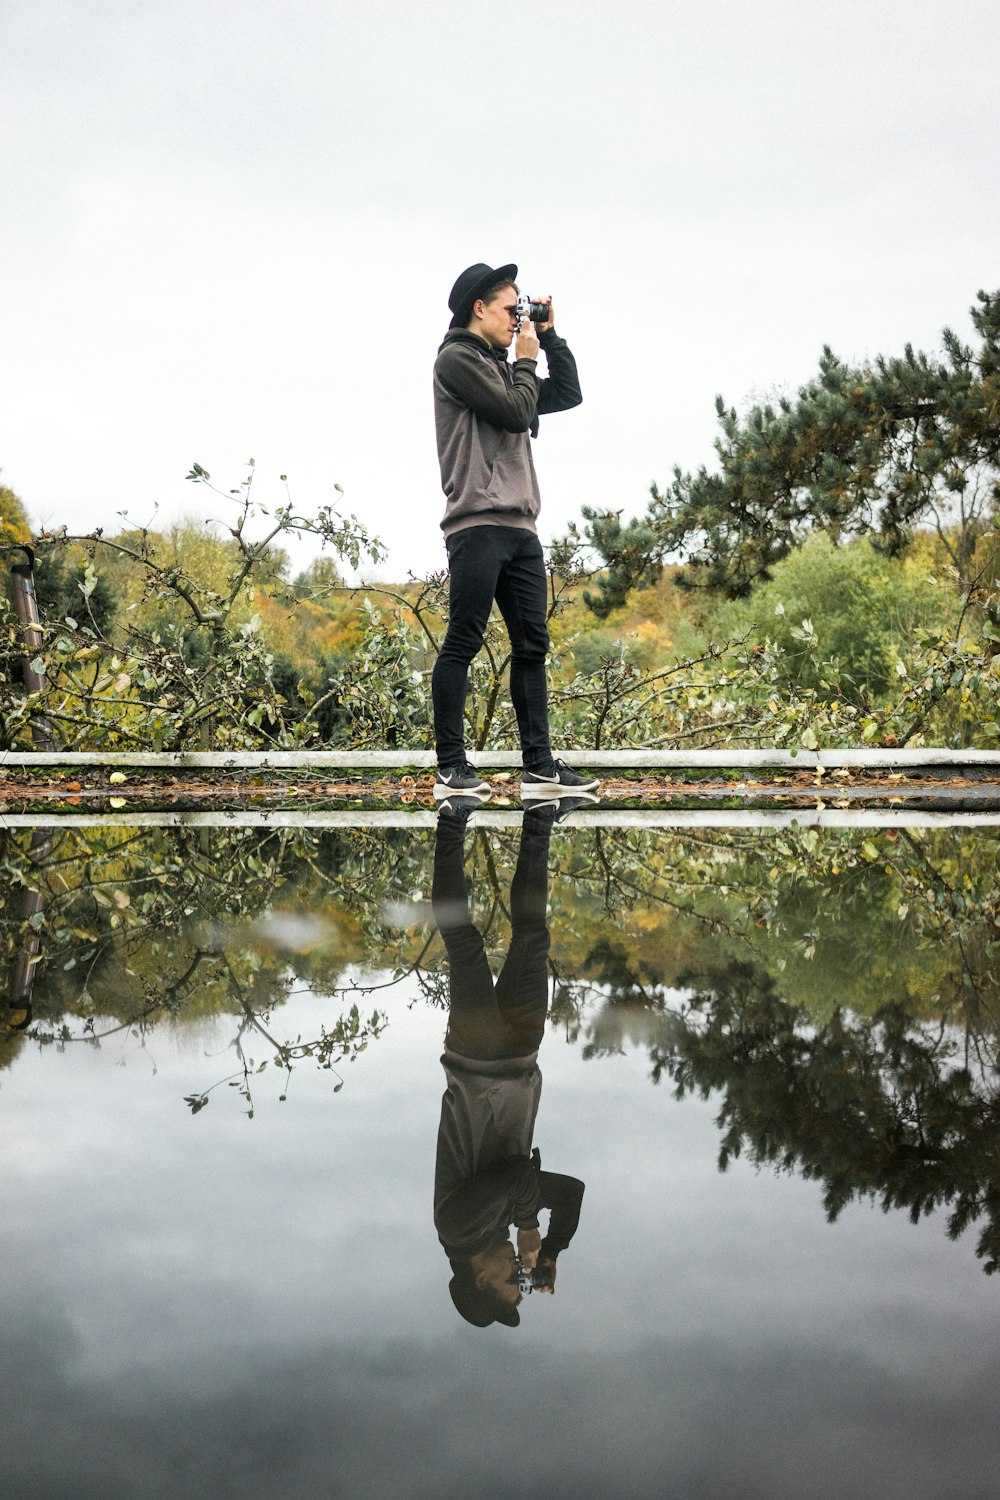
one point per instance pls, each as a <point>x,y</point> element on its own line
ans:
<point>887,1111</point>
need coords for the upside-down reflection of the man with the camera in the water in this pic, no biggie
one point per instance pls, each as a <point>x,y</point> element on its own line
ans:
<point>488,1177</point>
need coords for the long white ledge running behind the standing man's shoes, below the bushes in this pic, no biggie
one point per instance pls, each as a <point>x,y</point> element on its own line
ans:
<point>500,760</point>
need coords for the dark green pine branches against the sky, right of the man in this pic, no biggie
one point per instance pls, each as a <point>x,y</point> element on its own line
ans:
<point>876,449</point>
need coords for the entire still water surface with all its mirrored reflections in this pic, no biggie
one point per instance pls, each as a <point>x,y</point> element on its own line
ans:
<point>269,1117</point>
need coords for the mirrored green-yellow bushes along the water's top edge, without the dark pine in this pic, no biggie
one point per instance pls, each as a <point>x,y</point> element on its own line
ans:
<point>196,920</point>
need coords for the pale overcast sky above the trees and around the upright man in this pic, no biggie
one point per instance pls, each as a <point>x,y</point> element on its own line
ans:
<point>232,230</point>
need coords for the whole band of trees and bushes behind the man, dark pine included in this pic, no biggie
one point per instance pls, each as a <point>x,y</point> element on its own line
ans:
<point>830,581</point>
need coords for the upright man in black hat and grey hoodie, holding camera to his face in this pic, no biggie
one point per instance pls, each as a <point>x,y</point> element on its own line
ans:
<point>487,412</point>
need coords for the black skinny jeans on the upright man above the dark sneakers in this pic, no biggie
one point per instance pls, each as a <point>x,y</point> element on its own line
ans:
<point>503,565</point>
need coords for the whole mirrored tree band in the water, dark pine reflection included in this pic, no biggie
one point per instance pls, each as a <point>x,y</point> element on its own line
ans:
<point>839,994</point>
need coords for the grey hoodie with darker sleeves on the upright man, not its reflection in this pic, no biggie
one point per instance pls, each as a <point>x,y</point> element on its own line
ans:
<point>485,413</point>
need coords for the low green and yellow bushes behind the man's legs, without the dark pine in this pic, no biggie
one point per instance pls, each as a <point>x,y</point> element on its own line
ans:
<point>196,640</point>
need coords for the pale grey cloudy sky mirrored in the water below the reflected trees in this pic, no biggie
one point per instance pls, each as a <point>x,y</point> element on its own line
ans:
<point>260,1307</point>
